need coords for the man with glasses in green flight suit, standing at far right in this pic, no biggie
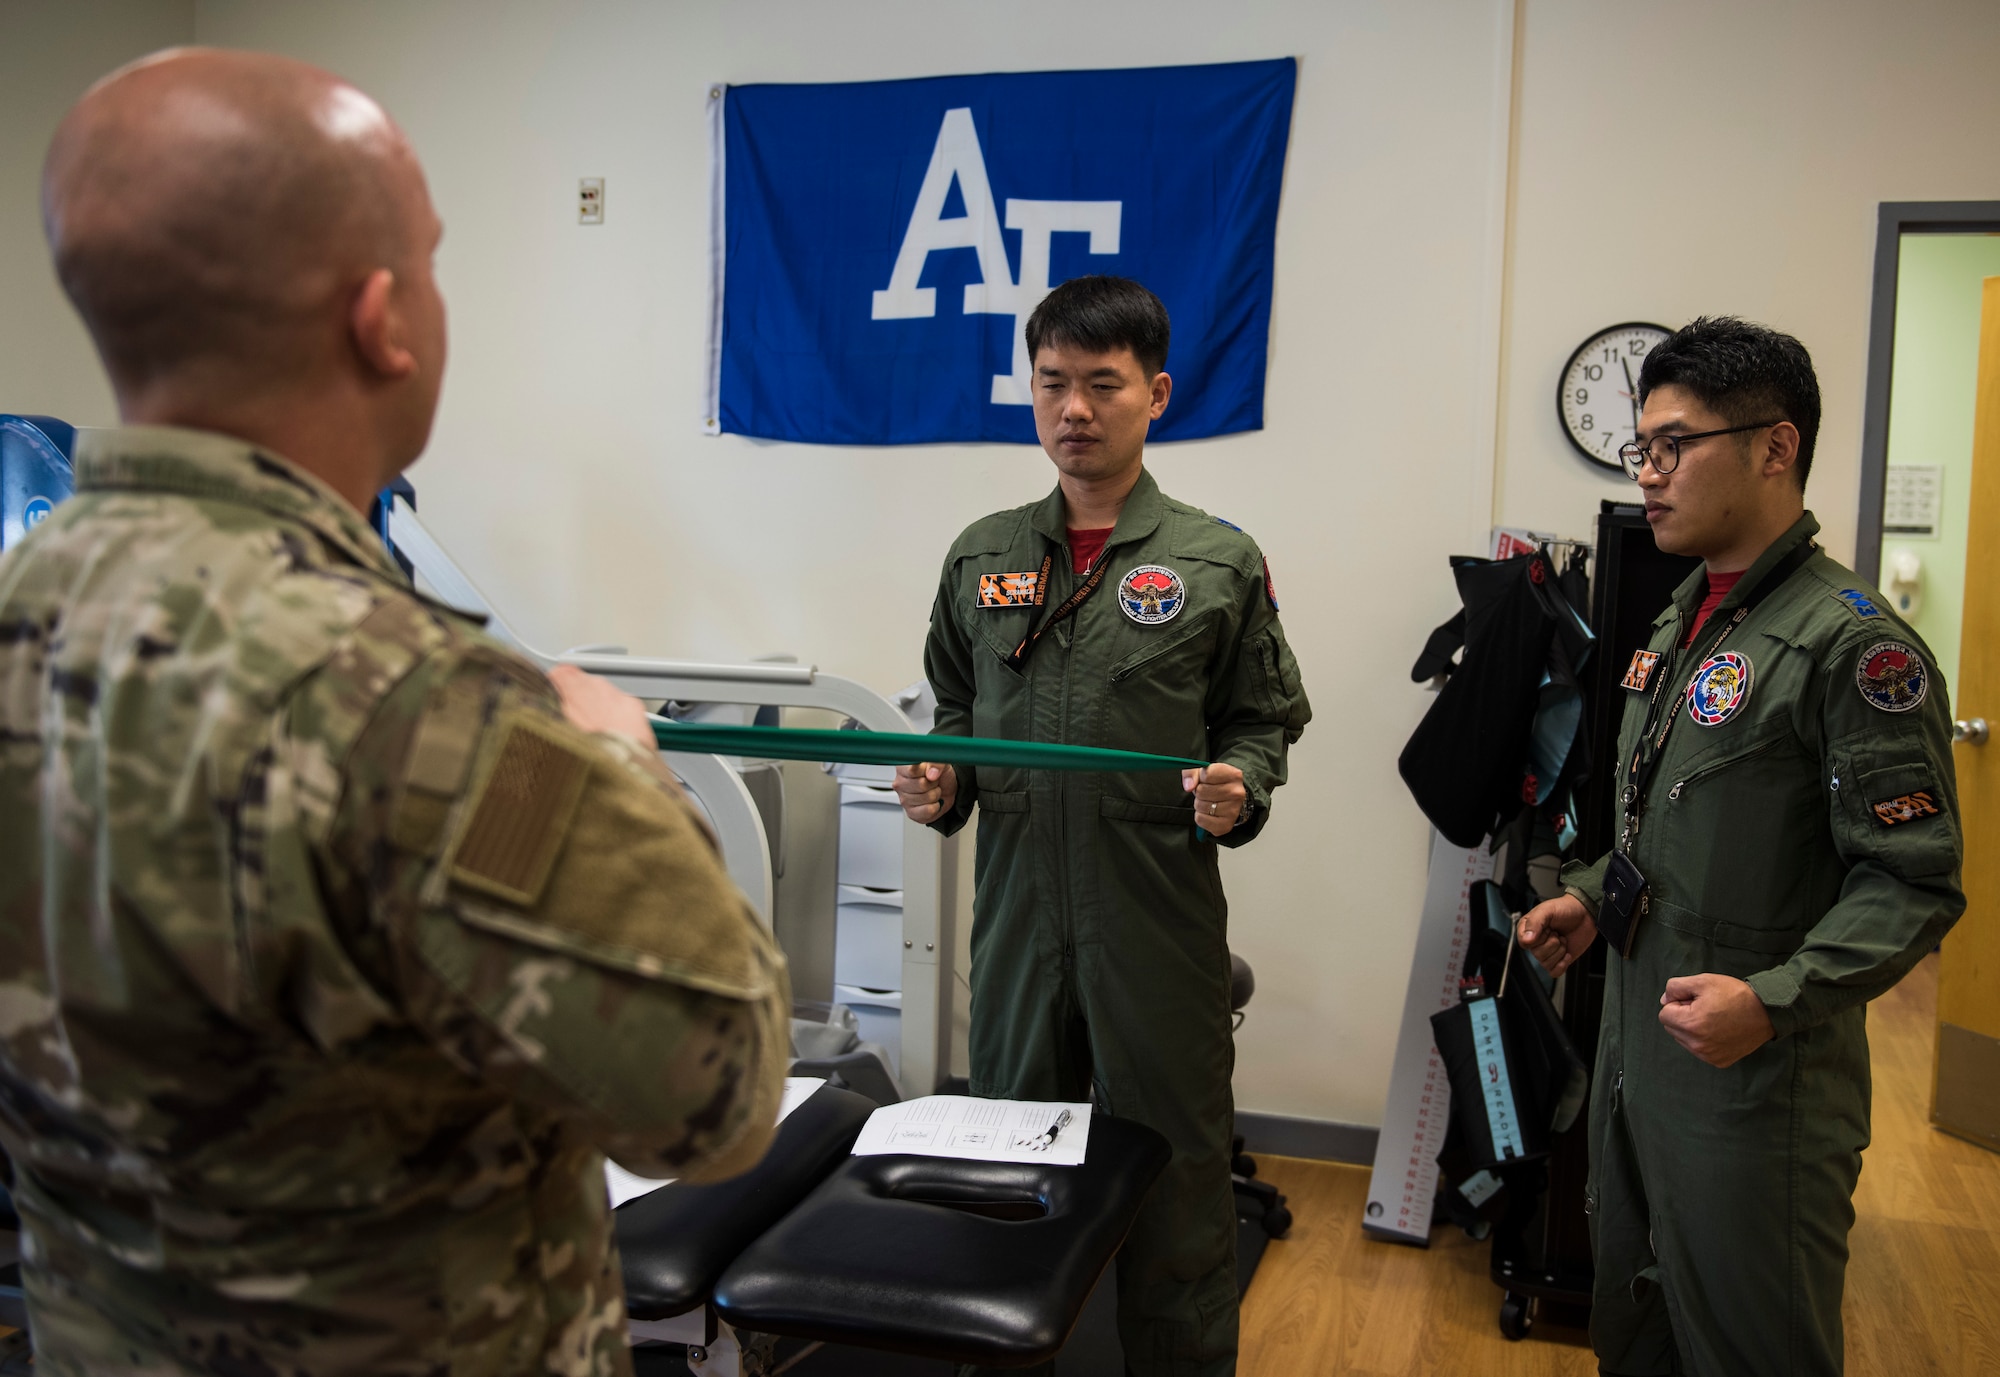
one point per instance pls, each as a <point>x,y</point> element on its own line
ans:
<point>1789,850</point>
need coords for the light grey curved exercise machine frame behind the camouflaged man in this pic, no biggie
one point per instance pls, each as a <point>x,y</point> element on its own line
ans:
<point>929,864</point>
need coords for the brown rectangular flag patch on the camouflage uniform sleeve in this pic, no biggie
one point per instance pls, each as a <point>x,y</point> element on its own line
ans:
<point>521,814</point>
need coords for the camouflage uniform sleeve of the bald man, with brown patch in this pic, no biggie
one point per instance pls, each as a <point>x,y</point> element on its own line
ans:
<point>547,910</point>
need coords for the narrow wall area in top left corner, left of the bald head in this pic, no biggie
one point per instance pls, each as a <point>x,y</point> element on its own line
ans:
<point>51,51</point>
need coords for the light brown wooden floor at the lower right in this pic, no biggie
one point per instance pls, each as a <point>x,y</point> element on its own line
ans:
<point>1923,1282</point>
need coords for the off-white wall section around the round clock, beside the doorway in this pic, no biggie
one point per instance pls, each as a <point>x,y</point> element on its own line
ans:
<point>1725,157</point>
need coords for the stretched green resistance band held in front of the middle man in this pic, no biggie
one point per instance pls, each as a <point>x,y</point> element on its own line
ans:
<point>865,748</point>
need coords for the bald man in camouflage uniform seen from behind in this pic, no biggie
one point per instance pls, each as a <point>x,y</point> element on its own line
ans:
<point>337,944</point>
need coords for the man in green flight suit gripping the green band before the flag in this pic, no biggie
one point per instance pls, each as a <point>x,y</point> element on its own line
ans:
<point>1111,615</point>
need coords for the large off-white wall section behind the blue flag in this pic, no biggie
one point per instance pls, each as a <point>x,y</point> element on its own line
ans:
<point>571,479</point>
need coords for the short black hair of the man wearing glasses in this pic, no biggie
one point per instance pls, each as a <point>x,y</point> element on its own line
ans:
<point>1745,373</point>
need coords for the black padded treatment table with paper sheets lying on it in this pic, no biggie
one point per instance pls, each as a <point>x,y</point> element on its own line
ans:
<point>951,1260</point>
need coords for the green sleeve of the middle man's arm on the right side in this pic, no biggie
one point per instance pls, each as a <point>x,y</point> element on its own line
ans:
<point>1257,704</point>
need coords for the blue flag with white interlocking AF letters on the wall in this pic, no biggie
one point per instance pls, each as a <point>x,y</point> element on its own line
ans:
<point>883,243</point>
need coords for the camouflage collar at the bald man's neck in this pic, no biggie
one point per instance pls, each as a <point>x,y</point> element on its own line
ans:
<point>219,467</point>
